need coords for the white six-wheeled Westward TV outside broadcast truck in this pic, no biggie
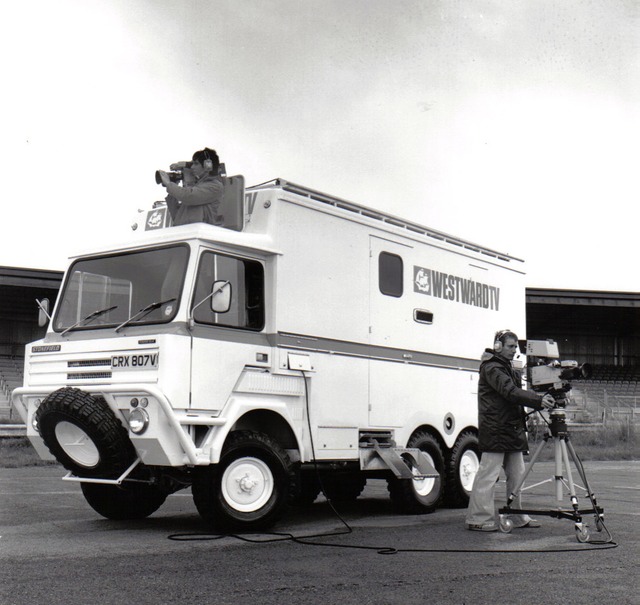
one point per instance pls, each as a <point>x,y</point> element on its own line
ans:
<point>308,343</point>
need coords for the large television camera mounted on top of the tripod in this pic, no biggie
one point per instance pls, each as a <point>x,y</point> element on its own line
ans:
<point>546,373</point>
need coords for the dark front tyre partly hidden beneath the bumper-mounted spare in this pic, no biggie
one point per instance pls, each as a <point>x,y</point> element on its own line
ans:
<point>126,501</point>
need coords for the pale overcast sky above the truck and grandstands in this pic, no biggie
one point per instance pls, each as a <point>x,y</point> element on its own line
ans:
<point>514,124</point>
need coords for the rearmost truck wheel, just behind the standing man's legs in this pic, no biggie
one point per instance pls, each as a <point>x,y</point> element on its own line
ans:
<point>462,467</point>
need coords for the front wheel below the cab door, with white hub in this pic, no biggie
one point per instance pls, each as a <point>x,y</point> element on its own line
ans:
<point>249,488</point>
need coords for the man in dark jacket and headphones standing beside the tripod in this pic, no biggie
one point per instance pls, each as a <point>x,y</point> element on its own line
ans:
<point>502,432</point>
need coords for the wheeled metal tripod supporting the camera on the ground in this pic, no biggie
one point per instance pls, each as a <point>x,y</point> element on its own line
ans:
<point>558,434</point>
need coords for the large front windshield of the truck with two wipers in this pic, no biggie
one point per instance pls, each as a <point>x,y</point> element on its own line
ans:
<point>108,291</point>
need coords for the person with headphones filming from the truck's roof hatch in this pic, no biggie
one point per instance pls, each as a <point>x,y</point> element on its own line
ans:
<point>198,201</point>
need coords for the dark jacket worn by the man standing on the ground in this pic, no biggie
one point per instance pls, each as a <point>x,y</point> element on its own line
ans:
<point>501,402</point>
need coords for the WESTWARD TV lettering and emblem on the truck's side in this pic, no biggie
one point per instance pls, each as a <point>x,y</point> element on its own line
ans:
<point>451,287</point>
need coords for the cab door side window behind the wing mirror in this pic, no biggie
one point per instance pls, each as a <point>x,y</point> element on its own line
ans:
<point>229,292</point>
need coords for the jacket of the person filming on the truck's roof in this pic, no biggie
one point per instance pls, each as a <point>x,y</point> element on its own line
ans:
<point>196,204</point>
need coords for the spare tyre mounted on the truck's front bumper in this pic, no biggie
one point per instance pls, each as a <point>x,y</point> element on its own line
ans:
<point>84,435</point>
